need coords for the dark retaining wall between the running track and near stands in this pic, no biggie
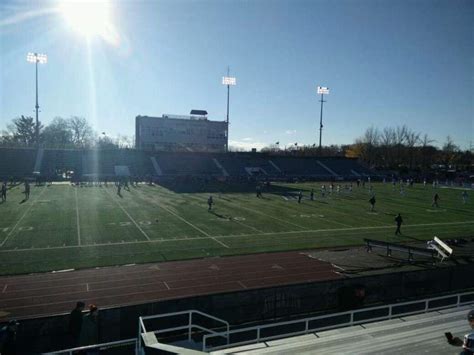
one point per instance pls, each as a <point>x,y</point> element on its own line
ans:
<point>258,306</point>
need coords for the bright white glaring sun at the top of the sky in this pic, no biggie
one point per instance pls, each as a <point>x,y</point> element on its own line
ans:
<point>88,17</point>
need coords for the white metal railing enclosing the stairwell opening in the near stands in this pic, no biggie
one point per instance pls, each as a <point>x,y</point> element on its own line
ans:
<point>189,326</point>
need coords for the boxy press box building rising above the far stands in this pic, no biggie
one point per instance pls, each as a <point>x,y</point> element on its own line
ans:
<point>178,133</point>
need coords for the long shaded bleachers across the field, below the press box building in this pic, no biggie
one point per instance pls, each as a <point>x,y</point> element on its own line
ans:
<point>85,163</point>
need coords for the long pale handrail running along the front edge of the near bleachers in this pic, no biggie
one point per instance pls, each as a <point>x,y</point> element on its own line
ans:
<point>349,314</point>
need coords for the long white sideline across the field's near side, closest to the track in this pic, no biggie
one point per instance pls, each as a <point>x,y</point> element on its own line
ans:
<point>240,235</point>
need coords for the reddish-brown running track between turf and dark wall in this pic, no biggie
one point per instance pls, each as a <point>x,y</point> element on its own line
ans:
<point>35,295</point>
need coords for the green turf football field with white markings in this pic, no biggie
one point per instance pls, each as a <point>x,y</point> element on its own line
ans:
<point>64,227</point>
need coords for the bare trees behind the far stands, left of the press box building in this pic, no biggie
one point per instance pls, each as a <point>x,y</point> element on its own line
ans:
<point>63,133</point>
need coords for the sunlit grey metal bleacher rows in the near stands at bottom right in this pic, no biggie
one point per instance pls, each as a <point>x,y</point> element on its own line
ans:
<point>415,334</point>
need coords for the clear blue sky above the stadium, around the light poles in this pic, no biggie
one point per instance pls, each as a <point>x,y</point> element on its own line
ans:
<point>387,63</point>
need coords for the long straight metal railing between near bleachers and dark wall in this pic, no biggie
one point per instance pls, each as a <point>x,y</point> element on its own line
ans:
<point>352,318</point>
